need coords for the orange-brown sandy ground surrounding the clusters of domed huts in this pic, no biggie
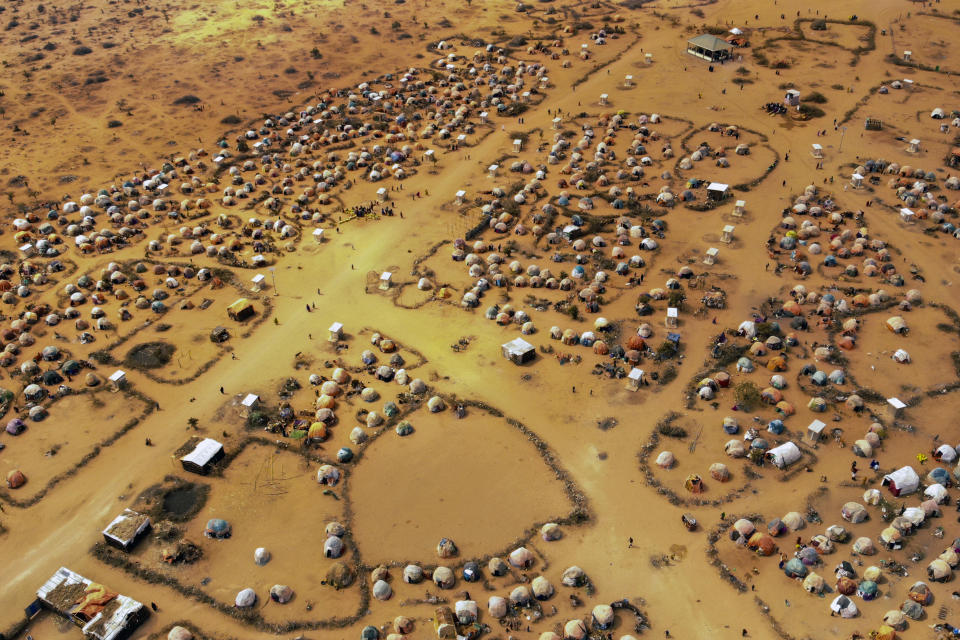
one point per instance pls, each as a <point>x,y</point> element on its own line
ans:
<point>479,481</point>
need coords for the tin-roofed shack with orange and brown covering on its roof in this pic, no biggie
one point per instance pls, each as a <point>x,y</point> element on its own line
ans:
<point>100,613</point>
